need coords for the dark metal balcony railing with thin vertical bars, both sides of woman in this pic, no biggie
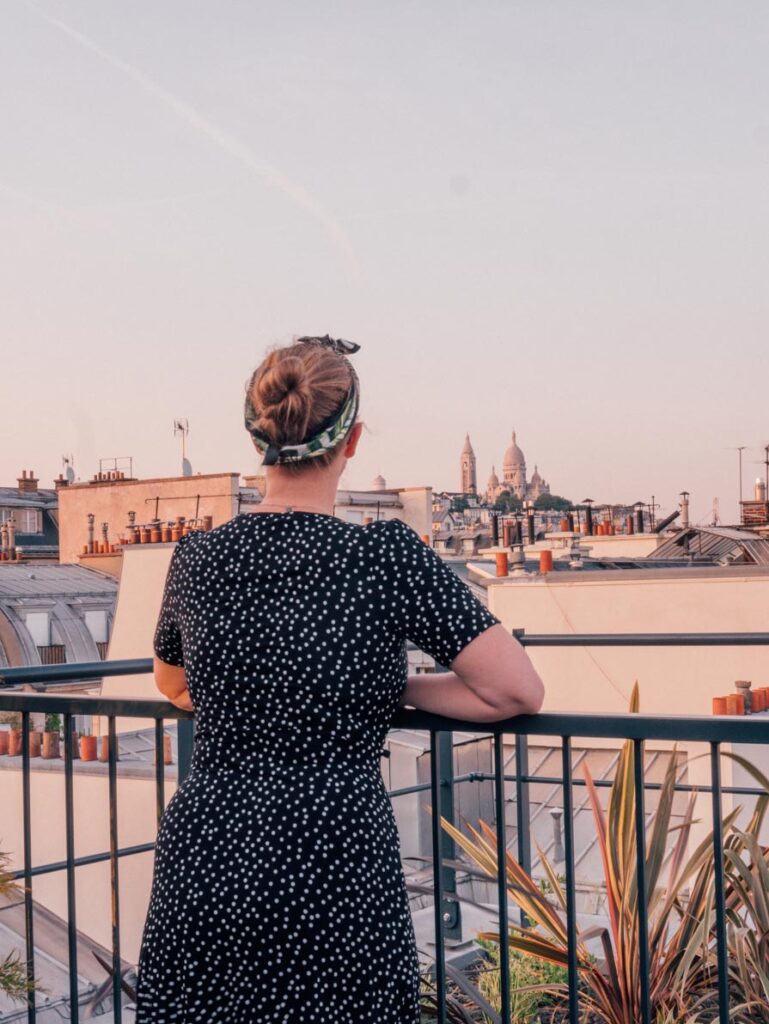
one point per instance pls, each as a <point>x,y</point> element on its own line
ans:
<point>712,732</point>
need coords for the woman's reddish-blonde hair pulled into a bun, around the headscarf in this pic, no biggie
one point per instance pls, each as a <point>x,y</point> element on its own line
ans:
<point>294,391</point>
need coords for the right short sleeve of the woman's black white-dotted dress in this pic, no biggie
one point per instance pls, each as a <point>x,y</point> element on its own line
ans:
<point>430,605</point>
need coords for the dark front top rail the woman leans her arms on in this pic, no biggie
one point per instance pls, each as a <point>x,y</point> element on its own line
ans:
<point>715,729</point>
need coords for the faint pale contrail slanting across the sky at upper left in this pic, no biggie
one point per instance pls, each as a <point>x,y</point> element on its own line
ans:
<point>272,176</point>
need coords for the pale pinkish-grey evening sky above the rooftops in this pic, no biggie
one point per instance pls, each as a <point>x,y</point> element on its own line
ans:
<point>547,217</point>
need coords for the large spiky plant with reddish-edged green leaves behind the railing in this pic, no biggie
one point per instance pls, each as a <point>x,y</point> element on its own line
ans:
<point>680,905</point>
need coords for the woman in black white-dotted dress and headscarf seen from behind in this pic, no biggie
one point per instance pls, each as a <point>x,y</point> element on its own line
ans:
<point>279,893</point>
